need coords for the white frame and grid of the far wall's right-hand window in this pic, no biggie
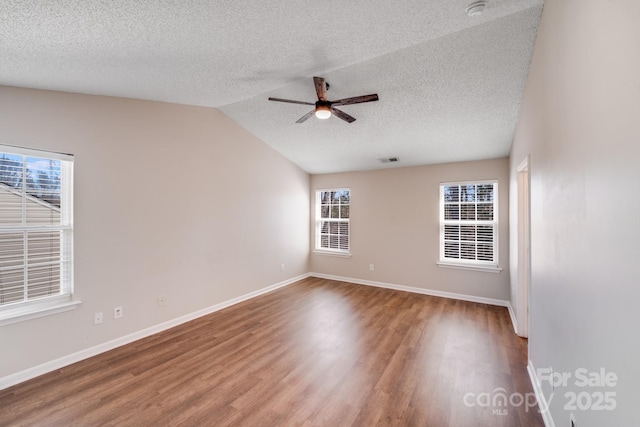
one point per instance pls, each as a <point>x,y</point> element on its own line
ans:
<point>472,264</point>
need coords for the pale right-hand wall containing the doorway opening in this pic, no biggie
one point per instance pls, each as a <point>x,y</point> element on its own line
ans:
<point>579,124</point>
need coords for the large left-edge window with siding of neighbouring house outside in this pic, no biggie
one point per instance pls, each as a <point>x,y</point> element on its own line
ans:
<point>36,228</point>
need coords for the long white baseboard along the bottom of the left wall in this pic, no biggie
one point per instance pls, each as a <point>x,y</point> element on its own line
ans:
<point>27,374</point>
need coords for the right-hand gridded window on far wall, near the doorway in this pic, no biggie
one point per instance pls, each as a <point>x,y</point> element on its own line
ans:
<point>469,224</point>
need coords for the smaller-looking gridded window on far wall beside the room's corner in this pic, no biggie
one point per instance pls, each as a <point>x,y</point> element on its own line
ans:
<point>332,220</point>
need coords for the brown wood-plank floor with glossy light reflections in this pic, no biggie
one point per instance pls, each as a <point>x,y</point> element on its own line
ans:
<point>315,353</point>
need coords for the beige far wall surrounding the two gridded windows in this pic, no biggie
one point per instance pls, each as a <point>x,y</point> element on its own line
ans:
<point>395,226</point>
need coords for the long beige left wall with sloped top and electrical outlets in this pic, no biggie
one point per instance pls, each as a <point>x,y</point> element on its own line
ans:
<point>169,200</point>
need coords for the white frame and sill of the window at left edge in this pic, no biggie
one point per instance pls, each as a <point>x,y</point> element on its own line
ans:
<point>64,299</point>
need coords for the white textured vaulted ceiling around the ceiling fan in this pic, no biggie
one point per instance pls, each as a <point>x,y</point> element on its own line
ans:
<point>450,85</point>
